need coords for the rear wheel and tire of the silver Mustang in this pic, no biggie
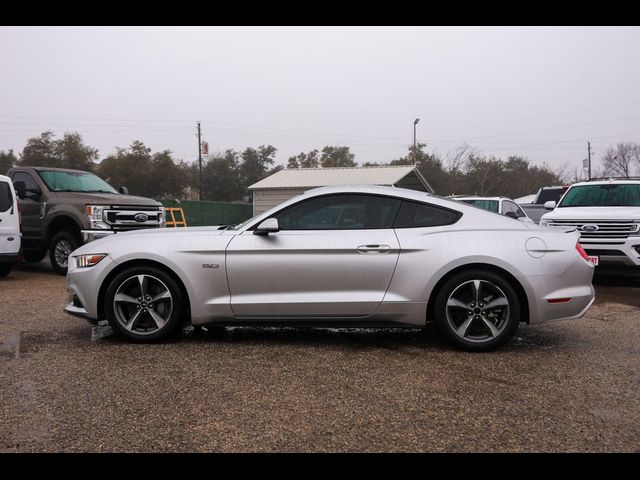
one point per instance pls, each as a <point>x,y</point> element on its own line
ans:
<point>481,330</point>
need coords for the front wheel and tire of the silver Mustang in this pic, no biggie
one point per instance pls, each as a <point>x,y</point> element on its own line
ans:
<point>144,328</point>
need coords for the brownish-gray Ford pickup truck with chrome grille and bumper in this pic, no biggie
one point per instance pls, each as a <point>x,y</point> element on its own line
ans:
<point>61,209</point>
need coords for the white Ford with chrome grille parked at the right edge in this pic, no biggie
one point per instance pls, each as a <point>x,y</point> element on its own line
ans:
<point>607,215</point>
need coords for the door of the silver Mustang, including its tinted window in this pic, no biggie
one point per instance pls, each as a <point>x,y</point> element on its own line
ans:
<point>334,256</point>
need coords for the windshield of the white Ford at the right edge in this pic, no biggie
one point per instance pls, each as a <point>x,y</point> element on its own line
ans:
<point>615,195</point>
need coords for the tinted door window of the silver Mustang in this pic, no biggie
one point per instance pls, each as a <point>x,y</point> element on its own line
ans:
<point>340,212</point>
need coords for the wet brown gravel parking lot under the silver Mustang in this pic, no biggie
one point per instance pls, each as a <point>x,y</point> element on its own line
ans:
<point>565,386</point>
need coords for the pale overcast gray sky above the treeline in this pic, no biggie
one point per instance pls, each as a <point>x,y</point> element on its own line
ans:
<point>538,92</point>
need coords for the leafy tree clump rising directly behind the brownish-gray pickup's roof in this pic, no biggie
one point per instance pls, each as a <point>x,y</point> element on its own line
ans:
<point>67,152</point>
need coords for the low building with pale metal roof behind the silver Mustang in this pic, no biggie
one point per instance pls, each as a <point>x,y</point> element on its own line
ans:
<point>288,183</point>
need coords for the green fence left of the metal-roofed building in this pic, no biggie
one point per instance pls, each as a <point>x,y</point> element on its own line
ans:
<point>211,213</point>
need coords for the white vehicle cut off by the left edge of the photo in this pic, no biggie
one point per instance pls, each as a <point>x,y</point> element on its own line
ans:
<point>10,241</point>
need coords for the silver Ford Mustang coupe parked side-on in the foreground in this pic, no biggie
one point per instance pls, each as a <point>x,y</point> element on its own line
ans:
<point>339,256</point>
